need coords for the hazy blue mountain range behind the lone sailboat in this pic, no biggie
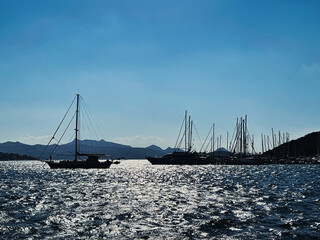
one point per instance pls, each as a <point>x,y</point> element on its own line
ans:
<point>66,151</point>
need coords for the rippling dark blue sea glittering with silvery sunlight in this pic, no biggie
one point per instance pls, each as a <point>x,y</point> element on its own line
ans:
<point>136,200</point>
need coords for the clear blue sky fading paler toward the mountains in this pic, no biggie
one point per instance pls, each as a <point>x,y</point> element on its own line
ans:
<point>140,64</point>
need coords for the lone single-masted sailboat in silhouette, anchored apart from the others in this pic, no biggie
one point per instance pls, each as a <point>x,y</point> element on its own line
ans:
<point>92,160</point>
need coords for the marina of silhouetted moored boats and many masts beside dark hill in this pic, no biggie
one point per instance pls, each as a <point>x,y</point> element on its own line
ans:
<point>242,149</point>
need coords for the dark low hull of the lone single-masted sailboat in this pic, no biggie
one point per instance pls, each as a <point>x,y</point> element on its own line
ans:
<point>78,164</point>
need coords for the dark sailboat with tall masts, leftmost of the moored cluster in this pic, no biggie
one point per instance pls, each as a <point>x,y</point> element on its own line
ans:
<point>180,157</point>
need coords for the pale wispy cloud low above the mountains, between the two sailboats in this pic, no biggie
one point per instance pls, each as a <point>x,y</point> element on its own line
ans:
<point>141,141</point>
